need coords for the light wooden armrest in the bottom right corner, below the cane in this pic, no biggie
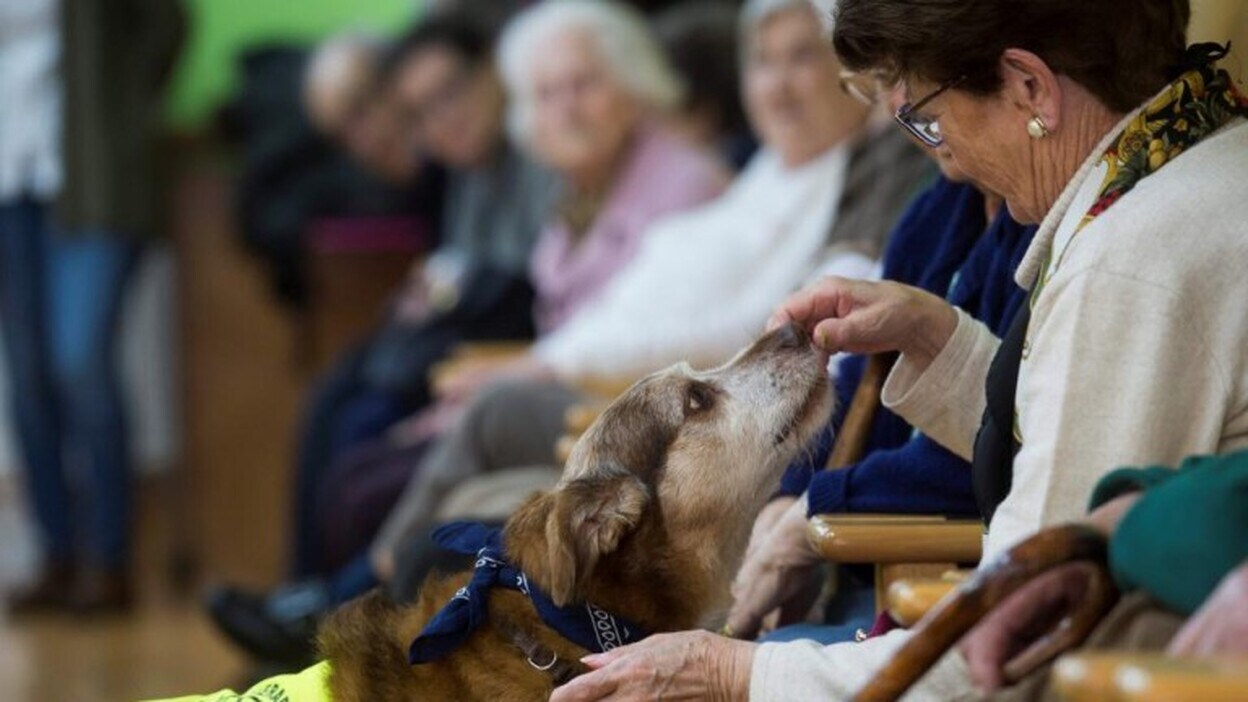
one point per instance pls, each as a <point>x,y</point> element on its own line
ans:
<point>1143,678</point>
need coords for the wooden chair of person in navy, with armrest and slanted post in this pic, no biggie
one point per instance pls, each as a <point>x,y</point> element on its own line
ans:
<point>900,546</point>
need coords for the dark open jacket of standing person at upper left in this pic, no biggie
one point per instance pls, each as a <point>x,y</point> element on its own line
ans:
<point>117,59</point>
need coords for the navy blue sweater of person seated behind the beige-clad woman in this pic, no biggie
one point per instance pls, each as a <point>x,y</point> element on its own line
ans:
<point>942,247</point>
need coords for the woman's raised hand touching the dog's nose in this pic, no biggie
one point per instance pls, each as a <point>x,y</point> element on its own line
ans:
<point>872,318</point>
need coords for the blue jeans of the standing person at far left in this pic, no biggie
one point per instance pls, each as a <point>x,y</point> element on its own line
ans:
<point>61,304</point>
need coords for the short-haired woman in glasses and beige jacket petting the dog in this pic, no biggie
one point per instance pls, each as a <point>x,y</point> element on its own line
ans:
<point>1101,127</point>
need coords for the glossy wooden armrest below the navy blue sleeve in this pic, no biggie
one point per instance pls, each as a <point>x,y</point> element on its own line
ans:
<point>895,539</point>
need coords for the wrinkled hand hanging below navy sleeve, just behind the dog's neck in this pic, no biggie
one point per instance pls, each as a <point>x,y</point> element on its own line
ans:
<point>774,575</point>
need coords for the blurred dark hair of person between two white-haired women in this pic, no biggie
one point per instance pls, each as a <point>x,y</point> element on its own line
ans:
<point>697,37</point>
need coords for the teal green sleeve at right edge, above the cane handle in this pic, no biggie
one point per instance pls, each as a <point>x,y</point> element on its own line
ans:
<point>1187,533</point>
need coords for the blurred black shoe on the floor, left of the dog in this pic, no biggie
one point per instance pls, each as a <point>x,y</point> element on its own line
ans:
<point>280,626</point>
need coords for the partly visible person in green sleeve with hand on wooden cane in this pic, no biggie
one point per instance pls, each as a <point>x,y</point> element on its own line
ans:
<point>1187,588</point>
